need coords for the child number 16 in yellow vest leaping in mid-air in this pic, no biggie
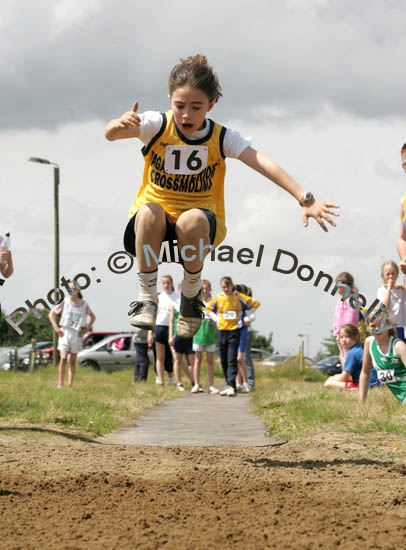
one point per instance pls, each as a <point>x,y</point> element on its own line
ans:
<point>181,197</point>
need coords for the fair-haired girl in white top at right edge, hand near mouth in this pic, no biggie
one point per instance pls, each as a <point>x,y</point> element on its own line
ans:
<point>393,295</point>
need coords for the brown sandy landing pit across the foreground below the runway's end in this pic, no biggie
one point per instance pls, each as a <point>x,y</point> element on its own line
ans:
<point>329,491</point>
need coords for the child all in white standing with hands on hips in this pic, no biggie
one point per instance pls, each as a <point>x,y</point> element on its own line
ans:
<point>72,326</point>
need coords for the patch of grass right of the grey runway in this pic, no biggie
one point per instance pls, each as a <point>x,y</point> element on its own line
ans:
<point>294,404</point>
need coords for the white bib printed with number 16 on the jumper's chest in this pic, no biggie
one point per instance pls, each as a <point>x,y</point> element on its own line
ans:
<point>185,159</point>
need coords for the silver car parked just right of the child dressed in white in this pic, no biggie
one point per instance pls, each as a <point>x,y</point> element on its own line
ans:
<point>104,356</point>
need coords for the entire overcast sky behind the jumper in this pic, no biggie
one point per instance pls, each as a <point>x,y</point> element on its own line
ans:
<point>318,84</point>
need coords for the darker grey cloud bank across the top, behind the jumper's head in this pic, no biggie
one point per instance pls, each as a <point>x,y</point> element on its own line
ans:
<point>292,56</point>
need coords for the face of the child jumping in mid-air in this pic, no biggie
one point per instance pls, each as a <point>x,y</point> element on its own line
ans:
<point>190,106</point>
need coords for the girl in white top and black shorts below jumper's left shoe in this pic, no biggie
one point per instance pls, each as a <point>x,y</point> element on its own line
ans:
<point>166,300</point>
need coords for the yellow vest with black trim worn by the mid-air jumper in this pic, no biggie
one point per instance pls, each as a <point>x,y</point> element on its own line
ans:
<point>180,173</point>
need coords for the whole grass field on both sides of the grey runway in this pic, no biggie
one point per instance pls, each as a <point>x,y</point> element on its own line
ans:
<point>292,404</point>
